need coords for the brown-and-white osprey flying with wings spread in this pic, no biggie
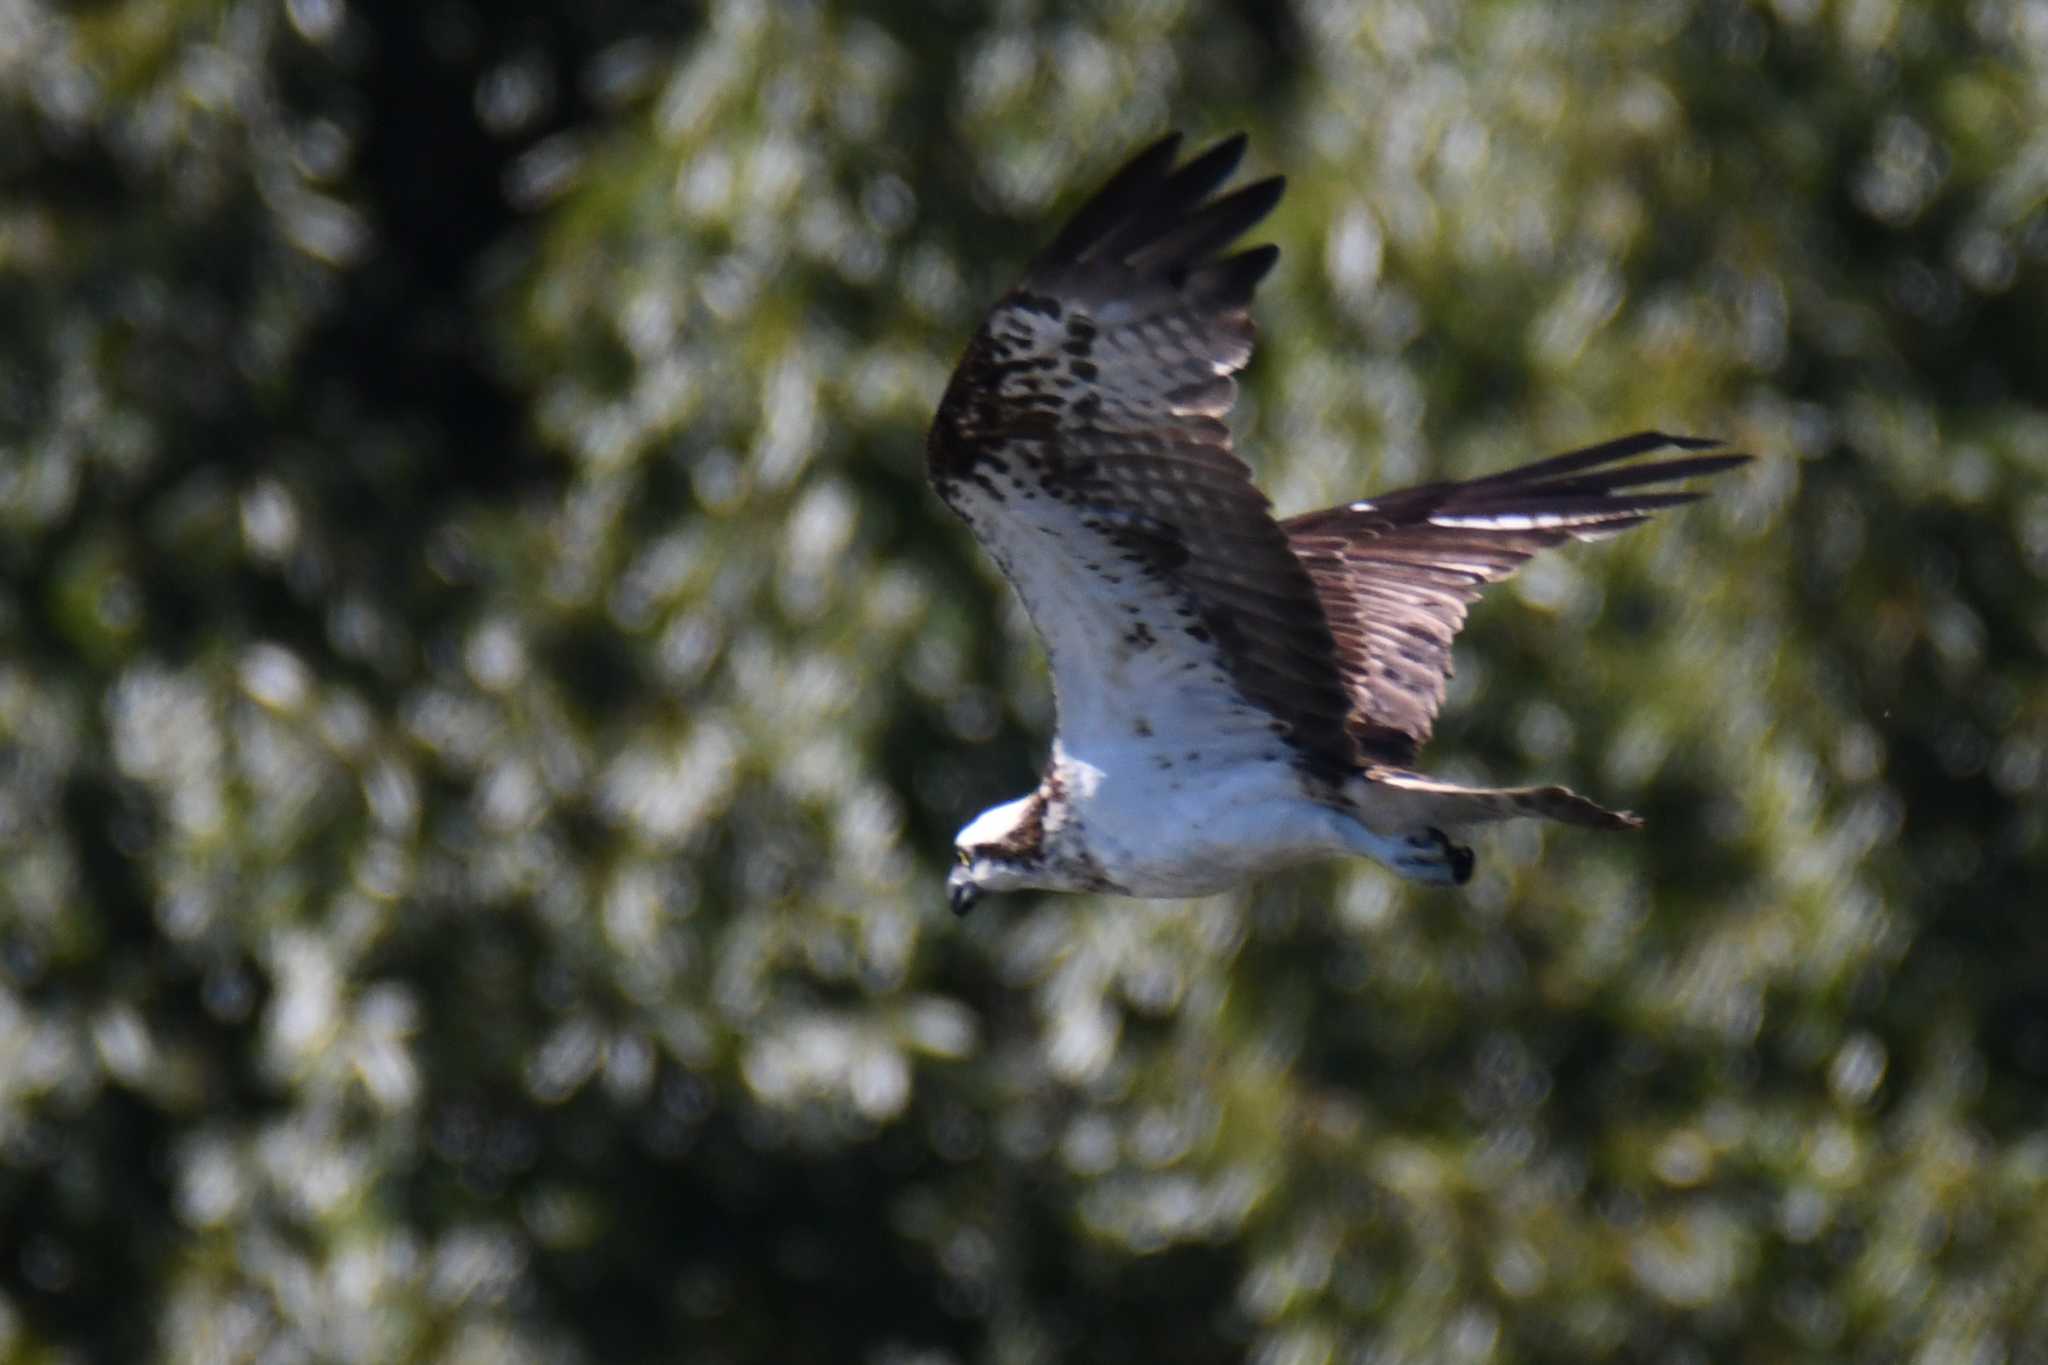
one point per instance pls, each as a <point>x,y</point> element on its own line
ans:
<point>1236,693</point>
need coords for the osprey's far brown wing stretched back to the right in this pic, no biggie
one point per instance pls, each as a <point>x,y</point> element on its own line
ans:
<point>1398,572</point>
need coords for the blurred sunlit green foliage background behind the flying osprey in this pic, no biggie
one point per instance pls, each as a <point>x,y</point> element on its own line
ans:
<point>486,695</point>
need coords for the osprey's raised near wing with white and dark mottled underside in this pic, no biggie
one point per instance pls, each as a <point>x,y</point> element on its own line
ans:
<point>1084,441</point>
